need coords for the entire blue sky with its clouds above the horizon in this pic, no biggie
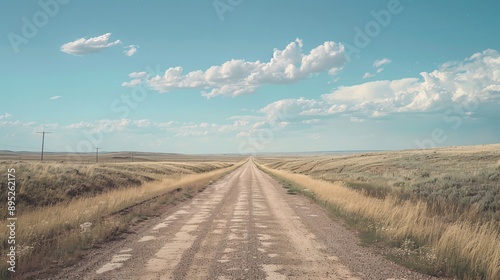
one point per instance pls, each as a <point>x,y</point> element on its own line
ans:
<point>239,76</point>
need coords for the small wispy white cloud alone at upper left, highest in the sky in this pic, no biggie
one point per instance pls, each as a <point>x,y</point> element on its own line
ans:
<point>84,46</point>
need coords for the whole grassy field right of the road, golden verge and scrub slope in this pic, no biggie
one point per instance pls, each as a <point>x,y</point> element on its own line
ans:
<point>439,209</point>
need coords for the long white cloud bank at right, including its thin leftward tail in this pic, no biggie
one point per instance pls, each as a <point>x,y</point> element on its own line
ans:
<point>475,79</point>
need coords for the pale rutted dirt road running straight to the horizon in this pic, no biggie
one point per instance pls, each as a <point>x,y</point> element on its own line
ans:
<point>243,227</point>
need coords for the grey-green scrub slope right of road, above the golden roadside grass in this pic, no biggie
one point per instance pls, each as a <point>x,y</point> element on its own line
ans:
<point>462,178</point>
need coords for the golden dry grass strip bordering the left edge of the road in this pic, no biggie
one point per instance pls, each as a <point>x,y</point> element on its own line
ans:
<point>60,232</point>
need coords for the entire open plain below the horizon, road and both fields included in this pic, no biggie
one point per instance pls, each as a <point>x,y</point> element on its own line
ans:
<point>376,215</point>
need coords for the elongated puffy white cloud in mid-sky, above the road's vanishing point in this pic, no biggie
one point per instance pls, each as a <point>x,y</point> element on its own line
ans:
<point>238,77</point>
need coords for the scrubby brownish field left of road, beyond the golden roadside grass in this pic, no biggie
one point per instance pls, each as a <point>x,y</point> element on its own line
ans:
<point>41,184</point>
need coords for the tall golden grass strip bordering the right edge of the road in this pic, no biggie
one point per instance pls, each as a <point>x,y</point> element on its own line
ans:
<point>460,248</point>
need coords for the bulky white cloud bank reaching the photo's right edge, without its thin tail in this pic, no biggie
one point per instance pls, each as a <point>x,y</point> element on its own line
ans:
<point>475,80</point>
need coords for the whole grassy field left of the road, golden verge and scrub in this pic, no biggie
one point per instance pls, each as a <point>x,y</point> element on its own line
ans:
<point>64,208</point>
